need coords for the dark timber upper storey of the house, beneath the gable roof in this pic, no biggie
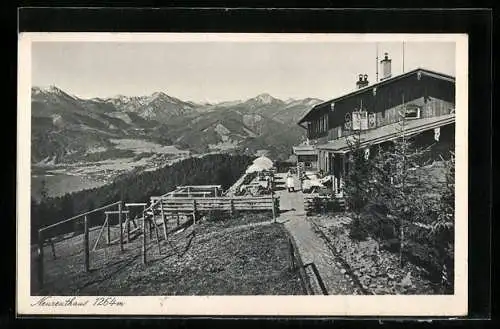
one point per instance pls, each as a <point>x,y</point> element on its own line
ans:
<point>420,88</point>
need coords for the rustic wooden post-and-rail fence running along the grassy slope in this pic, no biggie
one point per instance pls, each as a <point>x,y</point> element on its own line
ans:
<point>170,204</point>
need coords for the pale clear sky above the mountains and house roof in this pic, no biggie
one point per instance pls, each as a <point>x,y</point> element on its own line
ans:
<point>223,71</point>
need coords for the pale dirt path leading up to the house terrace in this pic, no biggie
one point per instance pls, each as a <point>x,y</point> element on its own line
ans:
<point>311,247</point>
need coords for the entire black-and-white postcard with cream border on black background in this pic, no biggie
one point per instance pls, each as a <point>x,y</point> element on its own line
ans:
<point>235,165</point>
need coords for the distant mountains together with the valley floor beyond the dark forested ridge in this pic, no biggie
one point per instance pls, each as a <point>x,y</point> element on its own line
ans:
<point>85,143</point>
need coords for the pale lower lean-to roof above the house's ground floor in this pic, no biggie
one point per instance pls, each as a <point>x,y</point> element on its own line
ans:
<point>390,132</point>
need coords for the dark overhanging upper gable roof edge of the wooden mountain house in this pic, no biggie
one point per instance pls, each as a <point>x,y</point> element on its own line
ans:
<point>396,78</point>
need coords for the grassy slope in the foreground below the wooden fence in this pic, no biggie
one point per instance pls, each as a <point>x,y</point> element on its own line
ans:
<point>252,261</point>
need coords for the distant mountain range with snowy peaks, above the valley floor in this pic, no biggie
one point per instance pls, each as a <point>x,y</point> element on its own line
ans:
<point>65,128</point>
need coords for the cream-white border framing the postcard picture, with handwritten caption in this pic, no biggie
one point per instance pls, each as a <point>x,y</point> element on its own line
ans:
<point>432,305</point>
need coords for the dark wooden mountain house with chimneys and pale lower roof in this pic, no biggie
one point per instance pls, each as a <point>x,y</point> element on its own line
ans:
<point>426,99</point>
